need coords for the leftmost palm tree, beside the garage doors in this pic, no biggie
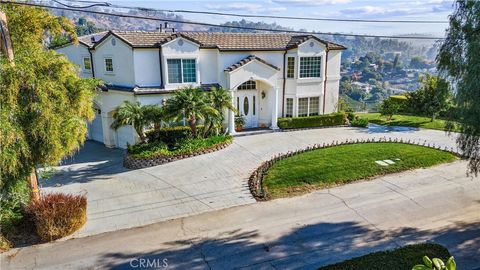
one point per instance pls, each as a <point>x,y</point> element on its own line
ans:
<point>131,113</point>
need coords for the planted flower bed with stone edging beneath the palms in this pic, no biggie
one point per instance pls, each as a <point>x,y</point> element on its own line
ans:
<point>157,153</point>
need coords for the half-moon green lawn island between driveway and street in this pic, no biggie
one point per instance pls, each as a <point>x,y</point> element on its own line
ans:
<point>346,163</point>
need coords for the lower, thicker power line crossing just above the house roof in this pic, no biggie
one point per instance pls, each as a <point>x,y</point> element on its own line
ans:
<point>221,26</point>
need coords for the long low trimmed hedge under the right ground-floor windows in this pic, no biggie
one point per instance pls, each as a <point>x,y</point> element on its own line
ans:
<point>326,120</point>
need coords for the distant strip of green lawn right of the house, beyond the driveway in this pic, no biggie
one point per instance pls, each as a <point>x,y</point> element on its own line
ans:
<point>406,120</point>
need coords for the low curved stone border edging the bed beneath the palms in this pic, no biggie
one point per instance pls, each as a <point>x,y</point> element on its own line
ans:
<point>130,162</point>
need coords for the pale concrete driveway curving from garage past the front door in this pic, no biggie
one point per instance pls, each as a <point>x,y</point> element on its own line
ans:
<point>120,198</point>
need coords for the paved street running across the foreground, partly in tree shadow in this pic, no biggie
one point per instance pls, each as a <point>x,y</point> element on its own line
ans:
<point>438,204</point>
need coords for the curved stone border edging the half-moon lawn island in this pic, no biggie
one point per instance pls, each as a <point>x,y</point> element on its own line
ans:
<point>255,182</point>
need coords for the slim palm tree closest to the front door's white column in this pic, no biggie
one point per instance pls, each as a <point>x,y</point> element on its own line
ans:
<point>220,100</point>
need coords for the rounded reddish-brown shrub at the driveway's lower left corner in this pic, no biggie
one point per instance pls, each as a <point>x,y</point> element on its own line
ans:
<point>57,215</point>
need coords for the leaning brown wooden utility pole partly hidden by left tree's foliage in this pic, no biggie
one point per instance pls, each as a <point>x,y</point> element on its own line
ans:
<point>7,50</point>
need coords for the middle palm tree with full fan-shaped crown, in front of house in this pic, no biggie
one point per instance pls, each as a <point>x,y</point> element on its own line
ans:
<point>189,103</point>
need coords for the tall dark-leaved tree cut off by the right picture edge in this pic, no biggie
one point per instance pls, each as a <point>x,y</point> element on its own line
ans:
<point>458,59</point>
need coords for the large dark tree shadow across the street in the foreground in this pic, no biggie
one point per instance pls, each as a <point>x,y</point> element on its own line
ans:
<point>307,247</point>
